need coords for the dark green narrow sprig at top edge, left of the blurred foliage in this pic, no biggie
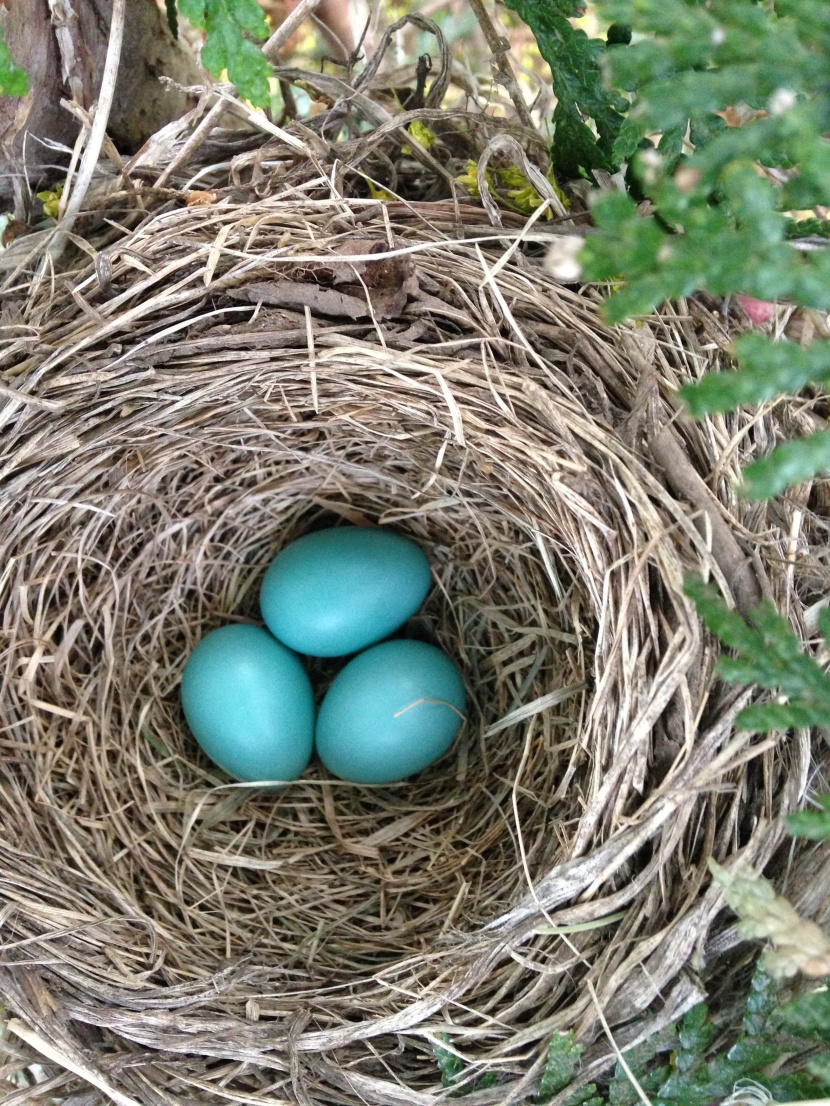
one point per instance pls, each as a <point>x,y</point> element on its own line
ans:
<point>582,96</point>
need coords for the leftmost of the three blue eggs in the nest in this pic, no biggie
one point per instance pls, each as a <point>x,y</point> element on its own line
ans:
<point>250,704</point>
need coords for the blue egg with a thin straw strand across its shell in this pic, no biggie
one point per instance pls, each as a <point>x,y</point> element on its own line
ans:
<point>390,713</point>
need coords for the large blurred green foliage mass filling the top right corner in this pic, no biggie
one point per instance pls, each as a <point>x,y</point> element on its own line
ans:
<point>715,223</point>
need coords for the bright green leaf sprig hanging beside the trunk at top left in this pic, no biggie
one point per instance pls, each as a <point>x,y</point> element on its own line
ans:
<point>226,48</point>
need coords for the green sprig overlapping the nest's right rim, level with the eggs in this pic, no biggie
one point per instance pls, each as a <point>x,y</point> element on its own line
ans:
<point>767,654</point>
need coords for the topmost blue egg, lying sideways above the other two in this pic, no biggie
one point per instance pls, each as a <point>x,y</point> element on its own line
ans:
<point>335,592</point>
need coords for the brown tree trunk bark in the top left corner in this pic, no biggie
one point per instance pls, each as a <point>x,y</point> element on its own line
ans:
<point>63,45</point>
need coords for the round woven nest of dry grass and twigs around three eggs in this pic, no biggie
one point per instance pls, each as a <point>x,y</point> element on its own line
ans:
<point>171,933</point>
